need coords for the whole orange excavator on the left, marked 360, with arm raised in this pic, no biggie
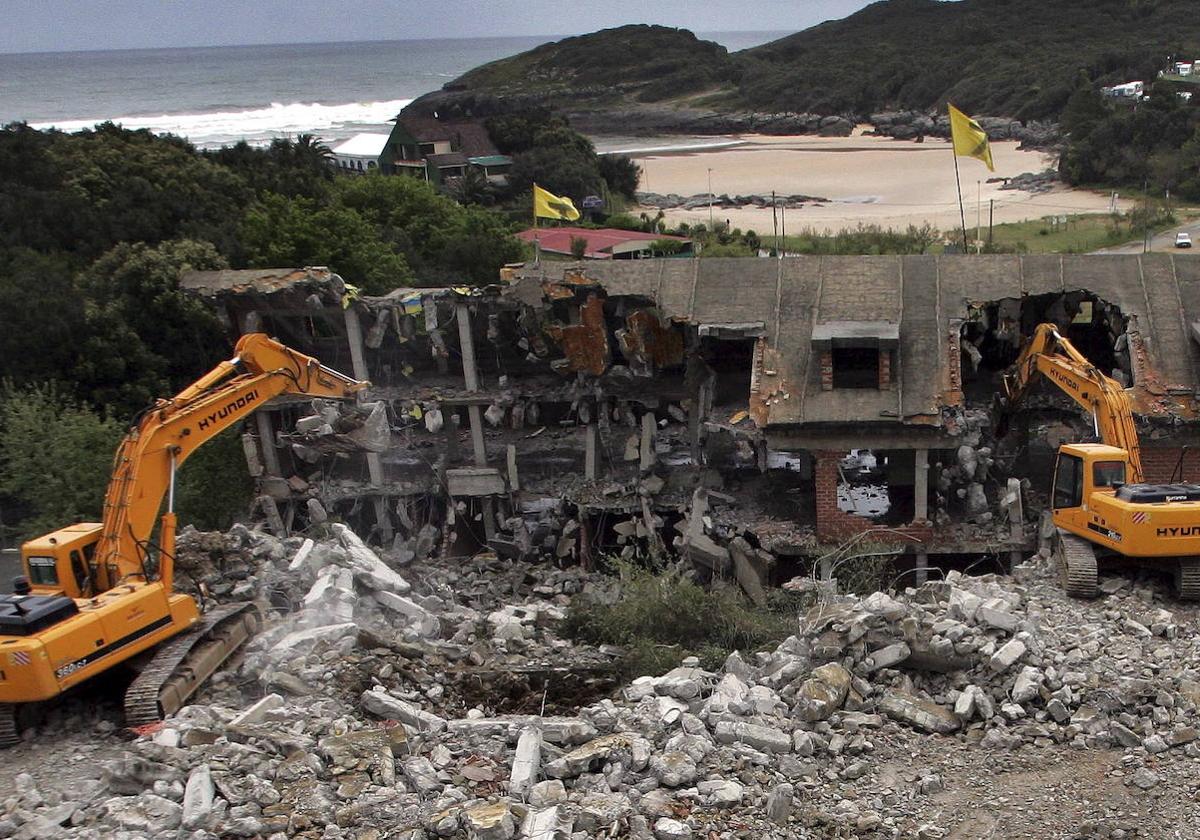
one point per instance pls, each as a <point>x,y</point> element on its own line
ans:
<point>101,595</point>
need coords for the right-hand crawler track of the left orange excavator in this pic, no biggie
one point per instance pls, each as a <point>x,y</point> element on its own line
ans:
<point>183,664</point>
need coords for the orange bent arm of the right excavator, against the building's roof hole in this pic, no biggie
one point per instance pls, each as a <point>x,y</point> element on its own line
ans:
<point>1055,358</point>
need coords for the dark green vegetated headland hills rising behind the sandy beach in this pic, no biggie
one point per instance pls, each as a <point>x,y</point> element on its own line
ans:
<point>1010,58</point>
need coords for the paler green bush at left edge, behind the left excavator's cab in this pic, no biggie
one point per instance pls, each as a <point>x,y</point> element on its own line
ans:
<point>56,458</point>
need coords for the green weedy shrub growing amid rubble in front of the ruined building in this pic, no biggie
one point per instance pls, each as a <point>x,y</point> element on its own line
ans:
<point>662,616</point>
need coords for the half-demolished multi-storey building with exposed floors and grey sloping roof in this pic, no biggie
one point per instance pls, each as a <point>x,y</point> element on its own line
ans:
<point>761,417</point>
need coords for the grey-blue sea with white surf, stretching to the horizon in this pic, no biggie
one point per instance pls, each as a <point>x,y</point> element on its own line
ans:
<point>218,97</point>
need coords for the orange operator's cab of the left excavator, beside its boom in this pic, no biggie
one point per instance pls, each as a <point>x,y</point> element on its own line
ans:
<point>65,563</point>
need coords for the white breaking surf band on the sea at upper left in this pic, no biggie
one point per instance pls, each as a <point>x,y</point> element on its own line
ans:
<point>253,124</point>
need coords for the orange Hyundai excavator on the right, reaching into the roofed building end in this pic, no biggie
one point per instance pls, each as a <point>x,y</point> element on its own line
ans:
<point>1101,507</point>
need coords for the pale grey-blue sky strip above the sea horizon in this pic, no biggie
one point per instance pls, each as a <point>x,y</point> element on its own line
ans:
<point>49,26</point>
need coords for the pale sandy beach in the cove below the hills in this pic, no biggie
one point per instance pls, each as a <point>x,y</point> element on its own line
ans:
<point>874,181</point>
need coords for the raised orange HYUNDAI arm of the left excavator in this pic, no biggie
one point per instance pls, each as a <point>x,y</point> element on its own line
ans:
<point>165,436</point>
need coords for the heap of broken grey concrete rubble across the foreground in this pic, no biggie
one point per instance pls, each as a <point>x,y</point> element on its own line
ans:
<point>346,717</point>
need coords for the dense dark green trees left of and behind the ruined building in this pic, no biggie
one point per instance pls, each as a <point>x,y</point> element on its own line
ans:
<point>95,230</point>
